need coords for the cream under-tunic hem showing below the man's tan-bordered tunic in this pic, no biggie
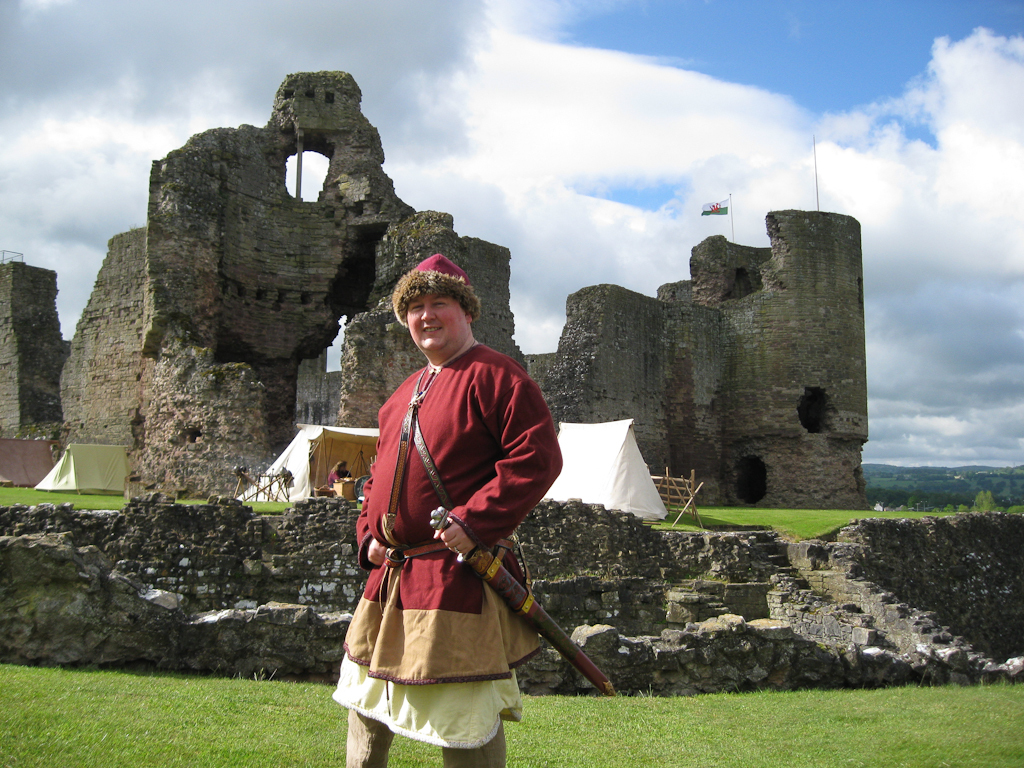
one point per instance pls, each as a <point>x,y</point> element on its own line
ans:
<point>462,715</point>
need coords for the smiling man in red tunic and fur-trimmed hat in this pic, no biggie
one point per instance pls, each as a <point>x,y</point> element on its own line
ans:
<point>432,651</point>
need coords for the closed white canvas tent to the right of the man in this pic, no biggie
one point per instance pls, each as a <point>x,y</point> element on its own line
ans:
<point>602,464</point>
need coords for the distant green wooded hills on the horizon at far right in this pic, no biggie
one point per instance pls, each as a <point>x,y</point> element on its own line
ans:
<point>938,487</point>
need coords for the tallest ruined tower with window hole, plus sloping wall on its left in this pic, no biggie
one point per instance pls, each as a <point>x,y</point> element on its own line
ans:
<point>190,349</point>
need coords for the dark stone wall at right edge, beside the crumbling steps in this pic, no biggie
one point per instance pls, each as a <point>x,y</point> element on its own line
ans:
<point>955,577</point>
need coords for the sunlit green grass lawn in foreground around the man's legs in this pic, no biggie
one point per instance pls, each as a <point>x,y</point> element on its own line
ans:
<point>67,718</point>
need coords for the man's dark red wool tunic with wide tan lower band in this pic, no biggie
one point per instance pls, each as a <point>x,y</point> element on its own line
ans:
<point>493,441</point>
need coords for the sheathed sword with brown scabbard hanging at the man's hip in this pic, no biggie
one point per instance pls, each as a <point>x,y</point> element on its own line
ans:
<point>490,569</point>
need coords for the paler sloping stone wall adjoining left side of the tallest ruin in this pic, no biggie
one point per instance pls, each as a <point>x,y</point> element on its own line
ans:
<point>103,382</point>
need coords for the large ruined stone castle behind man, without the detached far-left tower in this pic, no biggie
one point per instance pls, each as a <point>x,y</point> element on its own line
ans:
<point>752,373</point>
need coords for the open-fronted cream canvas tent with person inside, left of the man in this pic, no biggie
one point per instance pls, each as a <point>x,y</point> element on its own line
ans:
<point>315,450</point>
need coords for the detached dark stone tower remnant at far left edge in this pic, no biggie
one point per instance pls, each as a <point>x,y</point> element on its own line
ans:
<point>32,352</point>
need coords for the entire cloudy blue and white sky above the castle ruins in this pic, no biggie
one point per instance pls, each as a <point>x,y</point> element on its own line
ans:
<point>585,136</point>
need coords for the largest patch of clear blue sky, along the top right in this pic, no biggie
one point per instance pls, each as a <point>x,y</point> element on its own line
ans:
<point>828,56</point>
